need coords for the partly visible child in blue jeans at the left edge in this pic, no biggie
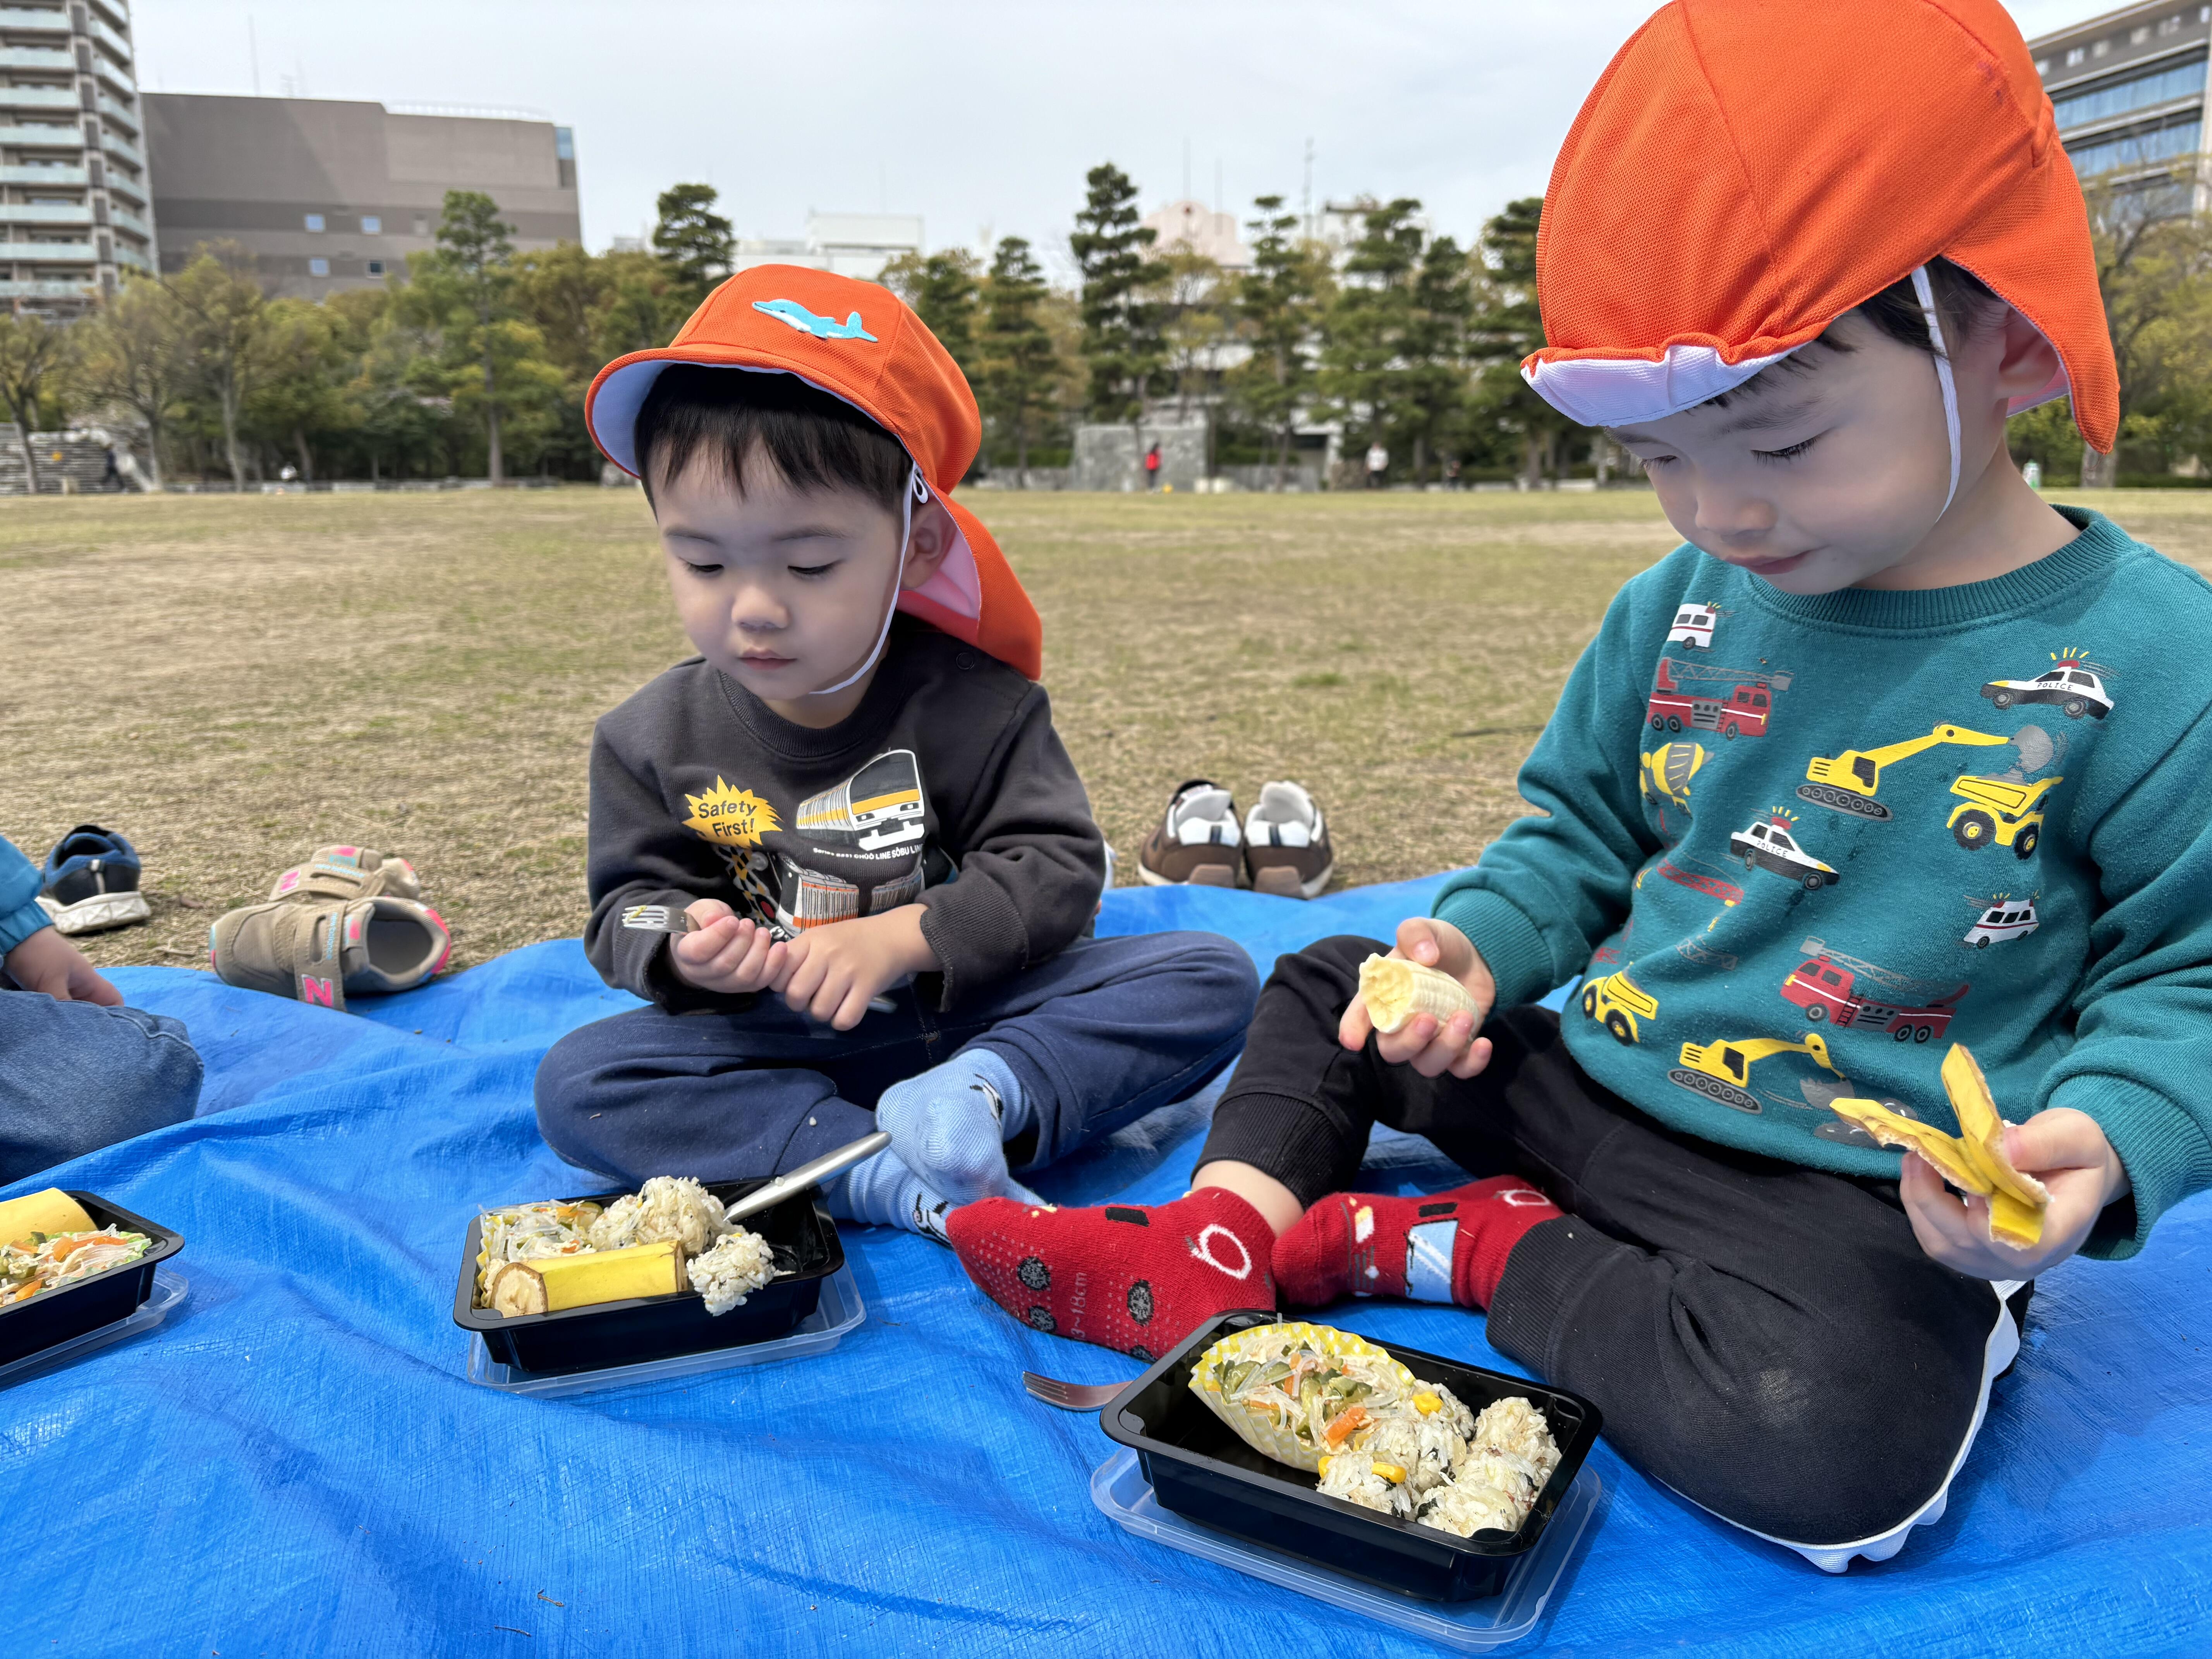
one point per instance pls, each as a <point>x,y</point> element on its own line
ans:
<point>79,1070</point>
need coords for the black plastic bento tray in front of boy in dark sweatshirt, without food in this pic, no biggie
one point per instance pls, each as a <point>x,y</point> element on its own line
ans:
<point>658,1328</point>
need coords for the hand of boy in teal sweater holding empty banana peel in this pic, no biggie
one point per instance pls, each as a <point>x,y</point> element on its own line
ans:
<point>2063,1149</point>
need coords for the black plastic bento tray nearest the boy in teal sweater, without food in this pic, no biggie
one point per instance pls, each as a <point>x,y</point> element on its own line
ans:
<point>1202,1472</point>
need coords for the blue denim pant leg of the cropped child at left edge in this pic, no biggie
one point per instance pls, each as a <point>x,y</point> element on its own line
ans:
<point>79,1076</point>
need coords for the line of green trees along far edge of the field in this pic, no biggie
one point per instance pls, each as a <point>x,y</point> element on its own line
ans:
<point>477,362</point>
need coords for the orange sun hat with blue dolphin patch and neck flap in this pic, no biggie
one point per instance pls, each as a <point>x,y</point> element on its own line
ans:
<point>866,346</point>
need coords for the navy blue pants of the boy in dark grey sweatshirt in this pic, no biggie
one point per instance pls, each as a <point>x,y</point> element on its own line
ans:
<point>1098,1036</point>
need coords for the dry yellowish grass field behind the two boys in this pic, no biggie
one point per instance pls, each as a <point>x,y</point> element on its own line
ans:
<point>233,682</point>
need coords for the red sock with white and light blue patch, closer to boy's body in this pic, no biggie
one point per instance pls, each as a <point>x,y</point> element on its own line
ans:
<point>1448,1246</point>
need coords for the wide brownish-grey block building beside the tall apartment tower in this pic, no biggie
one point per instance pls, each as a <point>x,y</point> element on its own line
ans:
<point>331,194</point>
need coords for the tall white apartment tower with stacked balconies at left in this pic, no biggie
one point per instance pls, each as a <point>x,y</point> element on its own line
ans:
<point>74,202</point>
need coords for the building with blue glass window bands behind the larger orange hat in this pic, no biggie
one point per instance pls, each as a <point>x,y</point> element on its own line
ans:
<point>2129,92</point>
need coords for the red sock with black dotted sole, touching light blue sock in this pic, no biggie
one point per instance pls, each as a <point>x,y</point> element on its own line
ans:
<point>1129,1277</point>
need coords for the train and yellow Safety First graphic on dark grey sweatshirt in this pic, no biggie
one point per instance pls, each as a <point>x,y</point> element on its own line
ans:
<point>855,851</point>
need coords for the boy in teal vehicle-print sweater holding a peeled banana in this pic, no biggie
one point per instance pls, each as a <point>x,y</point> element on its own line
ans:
<point>1890,755</point>
